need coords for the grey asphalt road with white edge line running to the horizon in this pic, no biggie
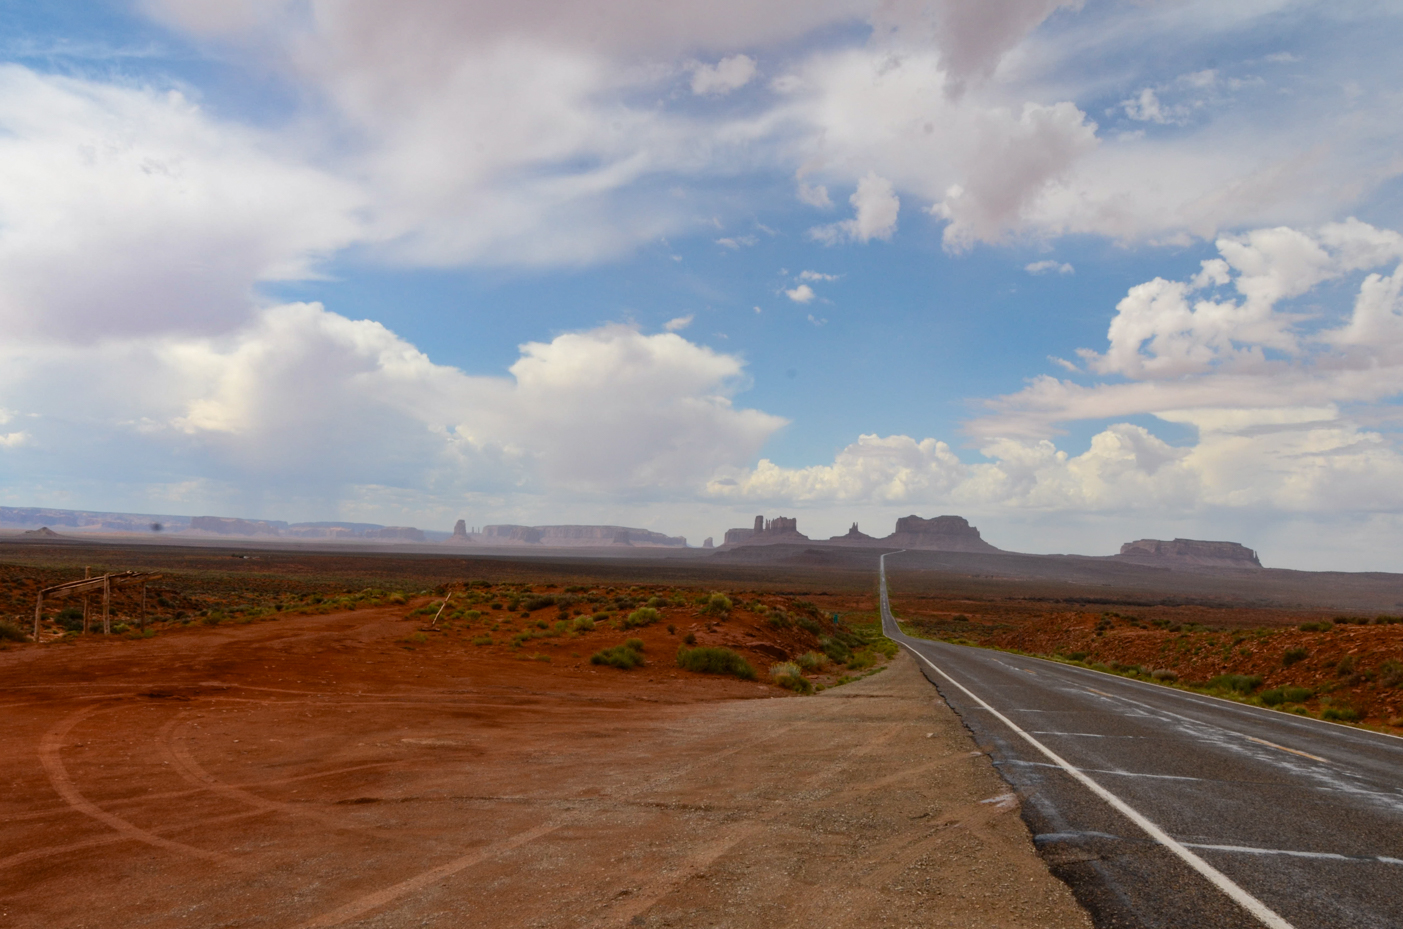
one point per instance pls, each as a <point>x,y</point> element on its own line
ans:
<point>1178,810</point>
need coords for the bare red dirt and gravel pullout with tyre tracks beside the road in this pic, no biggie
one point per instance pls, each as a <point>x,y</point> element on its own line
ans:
<point>211,795</point>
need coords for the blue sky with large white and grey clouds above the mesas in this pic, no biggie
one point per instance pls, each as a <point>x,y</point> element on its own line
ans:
<point>1081,273</point>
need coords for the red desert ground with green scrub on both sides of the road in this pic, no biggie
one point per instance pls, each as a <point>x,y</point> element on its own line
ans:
<point>328,739</point>
